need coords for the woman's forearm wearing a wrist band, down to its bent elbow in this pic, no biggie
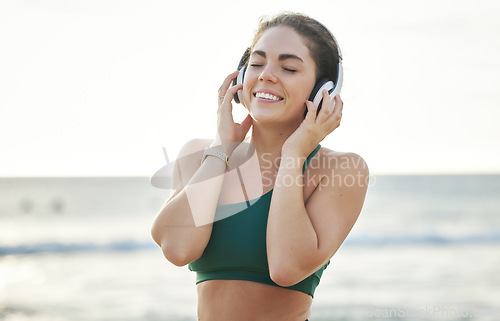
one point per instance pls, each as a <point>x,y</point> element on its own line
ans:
<point>184,224</point>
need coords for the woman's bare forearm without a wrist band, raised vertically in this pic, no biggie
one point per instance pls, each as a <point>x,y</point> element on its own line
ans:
<point>291,237</point>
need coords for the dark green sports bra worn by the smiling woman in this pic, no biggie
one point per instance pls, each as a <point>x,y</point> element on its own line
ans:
<point>237,246</point>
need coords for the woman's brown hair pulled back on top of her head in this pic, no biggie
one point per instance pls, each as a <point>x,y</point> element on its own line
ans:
<point>319,40</point>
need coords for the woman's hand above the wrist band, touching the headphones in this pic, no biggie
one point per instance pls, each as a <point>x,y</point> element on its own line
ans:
<point>229,133</point>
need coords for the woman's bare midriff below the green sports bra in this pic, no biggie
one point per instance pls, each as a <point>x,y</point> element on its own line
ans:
<point>249,301</point>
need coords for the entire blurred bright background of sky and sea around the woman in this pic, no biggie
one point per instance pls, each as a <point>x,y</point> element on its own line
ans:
<point>92,90</point>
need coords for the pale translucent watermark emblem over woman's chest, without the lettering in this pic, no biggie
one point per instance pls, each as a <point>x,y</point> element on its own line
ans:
<point>240,190</point>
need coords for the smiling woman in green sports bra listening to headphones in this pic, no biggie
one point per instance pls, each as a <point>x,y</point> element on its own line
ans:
<point>260,217</point>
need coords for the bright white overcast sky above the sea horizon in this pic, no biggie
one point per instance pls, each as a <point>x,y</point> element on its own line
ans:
<point>98,88</point>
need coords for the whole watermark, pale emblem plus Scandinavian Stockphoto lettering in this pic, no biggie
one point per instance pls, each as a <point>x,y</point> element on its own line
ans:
<point>242,186</point>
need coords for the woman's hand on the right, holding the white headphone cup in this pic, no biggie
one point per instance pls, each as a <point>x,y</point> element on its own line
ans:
<point>314,128</point>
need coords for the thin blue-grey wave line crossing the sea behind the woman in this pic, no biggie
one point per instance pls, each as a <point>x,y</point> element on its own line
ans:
<point>354,240</point>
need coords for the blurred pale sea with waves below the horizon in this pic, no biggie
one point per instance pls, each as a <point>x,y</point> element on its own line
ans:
<point>424,248</point>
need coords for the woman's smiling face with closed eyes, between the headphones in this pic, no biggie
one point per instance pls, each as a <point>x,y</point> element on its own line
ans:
<point>280,76</point>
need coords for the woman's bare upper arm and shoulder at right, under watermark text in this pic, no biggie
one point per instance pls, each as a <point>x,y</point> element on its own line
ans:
<point>336,203</point>
